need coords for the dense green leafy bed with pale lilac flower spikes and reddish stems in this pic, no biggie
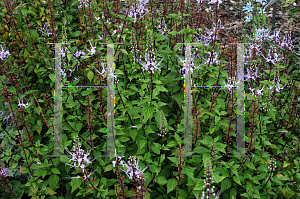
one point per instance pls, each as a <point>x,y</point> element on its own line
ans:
<point>149,103</point>
